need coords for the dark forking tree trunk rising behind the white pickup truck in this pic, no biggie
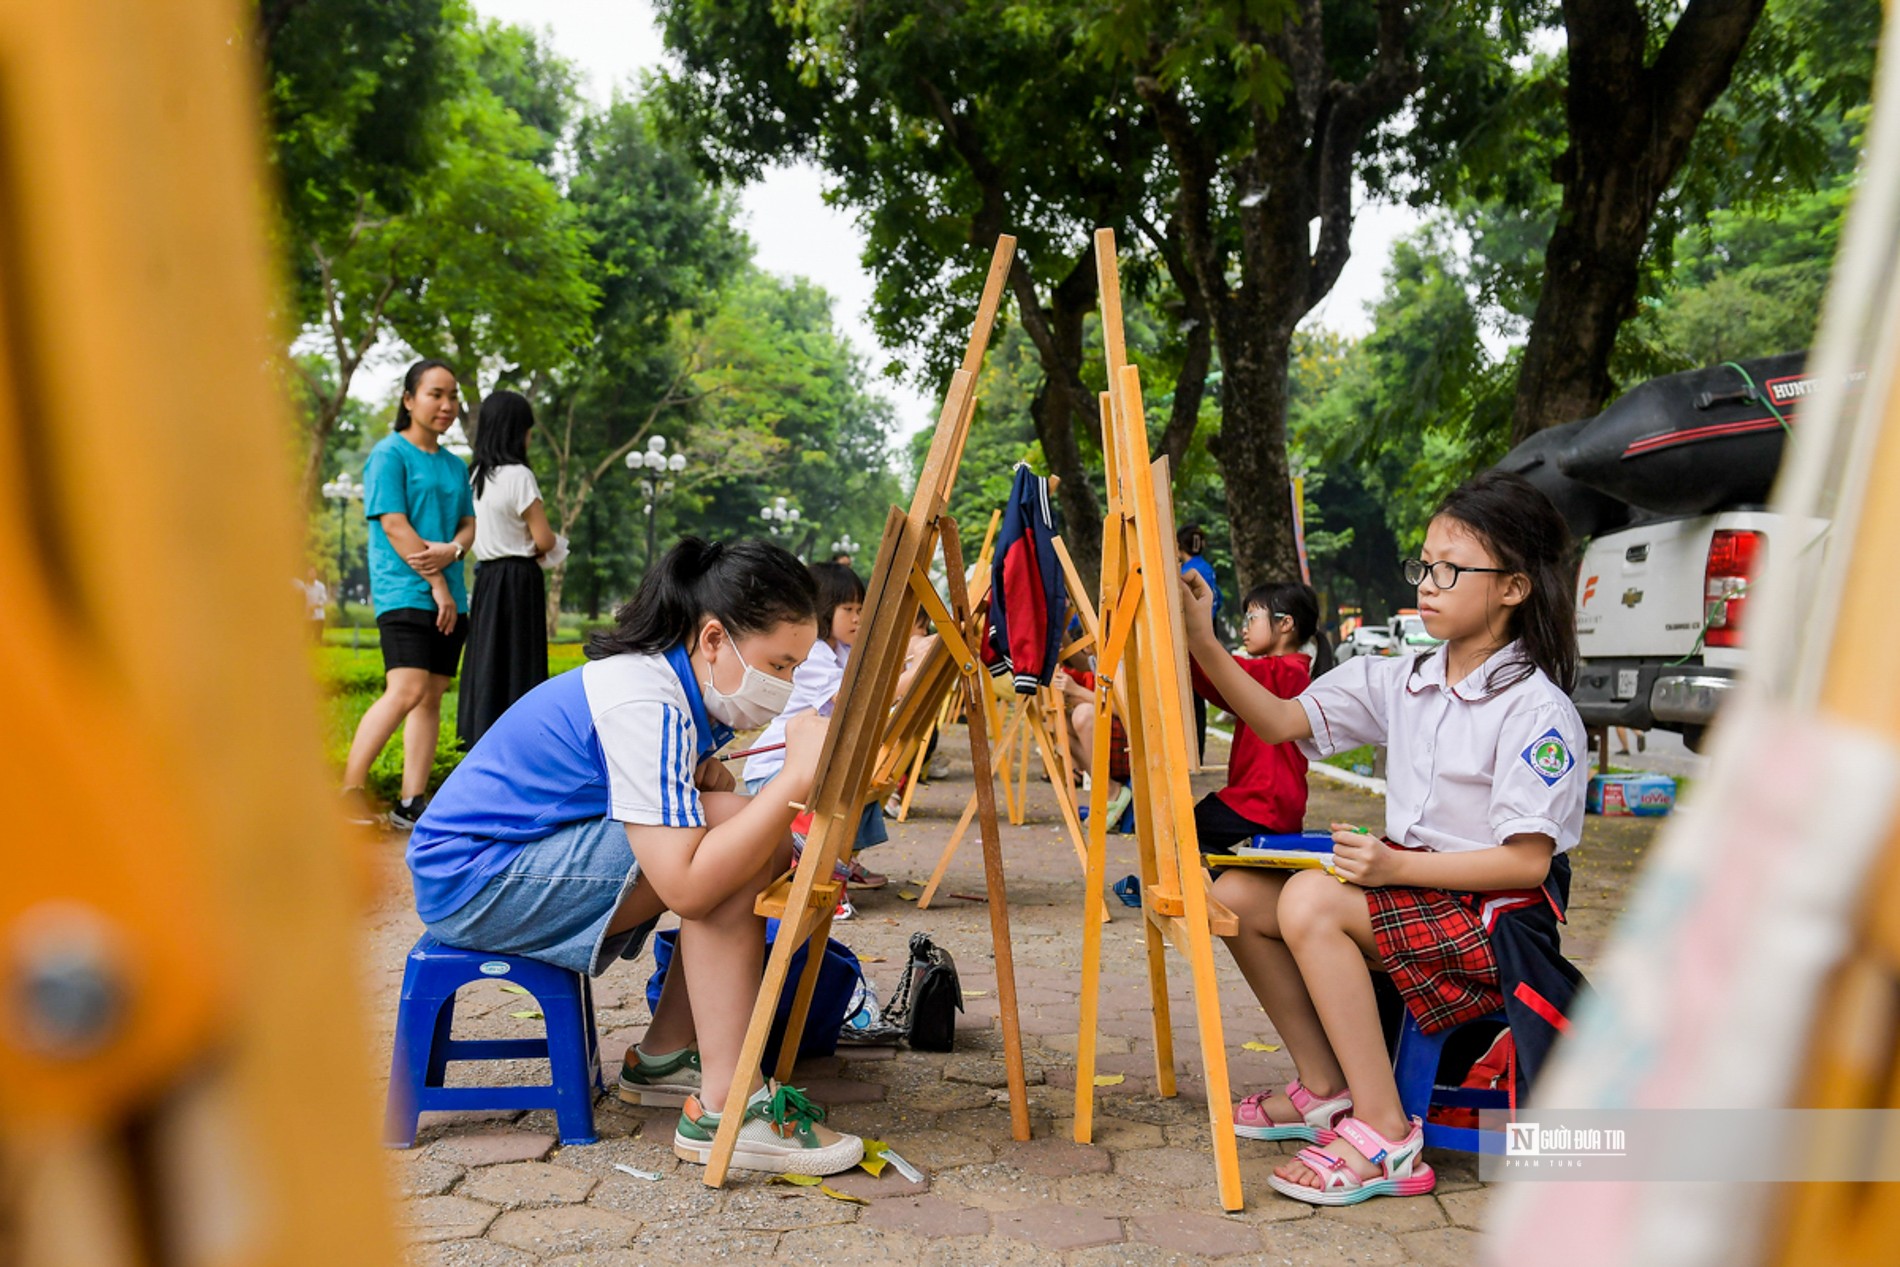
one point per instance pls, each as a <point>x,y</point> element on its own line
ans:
<point>1631,123</point>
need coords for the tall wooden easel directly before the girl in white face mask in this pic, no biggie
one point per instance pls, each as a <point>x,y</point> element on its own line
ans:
<point>807,899</point>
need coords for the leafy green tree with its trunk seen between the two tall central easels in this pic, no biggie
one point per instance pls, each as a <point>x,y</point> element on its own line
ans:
<point>943,128</point>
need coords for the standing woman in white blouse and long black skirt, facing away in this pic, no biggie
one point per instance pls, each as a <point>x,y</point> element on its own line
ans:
<point>508,616</point>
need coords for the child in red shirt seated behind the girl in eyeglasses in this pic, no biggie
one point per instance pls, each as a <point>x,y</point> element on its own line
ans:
<point>1266,784</point>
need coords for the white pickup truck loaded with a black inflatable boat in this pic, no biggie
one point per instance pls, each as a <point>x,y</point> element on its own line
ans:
<point>1667,487</point>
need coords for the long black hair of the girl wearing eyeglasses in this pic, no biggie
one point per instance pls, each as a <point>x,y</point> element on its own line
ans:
<point>1525,533</point>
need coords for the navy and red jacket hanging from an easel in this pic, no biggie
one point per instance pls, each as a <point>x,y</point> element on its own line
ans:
<point>1027,594</point>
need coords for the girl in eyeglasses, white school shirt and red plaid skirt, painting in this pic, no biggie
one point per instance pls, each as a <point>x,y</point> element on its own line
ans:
<point>1460,903</point>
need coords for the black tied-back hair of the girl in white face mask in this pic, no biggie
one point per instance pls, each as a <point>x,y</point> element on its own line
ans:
<point>750,586</point>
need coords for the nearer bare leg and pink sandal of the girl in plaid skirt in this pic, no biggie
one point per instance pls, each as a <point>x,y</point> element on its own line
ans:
<point>1329,932</point>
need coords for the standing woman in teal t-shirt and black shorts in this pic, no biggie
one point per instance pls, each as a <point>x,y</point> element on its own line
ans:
<point>421,525</point>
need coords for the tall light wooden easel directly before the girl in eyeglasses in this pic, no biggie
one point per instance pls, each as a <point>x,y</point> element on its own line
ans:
<point>1139,675</point>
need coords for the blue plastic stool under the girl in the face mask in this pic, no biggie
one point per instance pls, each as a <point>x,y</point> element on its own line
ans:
<point>425,1050</point>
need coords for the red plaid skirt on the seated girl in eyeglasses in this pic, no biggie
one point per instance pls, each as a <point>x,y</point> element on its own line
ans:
<point>1437,955</point>
